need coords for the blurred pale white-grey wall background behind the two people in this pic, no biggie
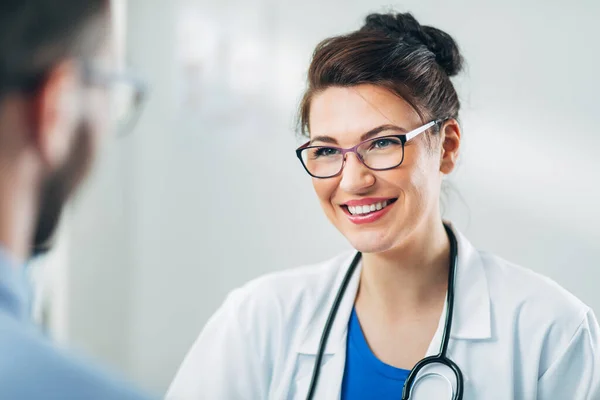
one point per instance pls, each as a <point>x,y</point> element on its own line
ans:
<point>207,193</point>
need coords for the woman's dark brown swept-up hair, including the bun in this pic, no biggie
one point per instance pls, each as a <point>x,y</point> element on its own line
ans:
<point>393,51</point>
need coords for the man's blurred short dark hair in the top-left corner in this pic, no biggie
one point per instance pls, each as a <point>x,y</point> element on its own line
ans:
<point>35,35</point>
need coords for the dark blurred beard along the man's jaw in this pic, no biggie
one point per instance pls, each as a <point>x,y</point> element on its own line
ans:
<point>57,189</point>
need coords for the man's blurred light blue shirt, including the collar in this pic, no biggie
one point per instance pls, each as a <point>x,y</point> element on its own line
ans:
<point>30,366</point>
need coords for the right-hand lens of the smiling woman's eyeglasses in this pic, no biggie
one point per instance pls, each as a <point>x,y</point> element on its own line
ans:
<point>382,153</point>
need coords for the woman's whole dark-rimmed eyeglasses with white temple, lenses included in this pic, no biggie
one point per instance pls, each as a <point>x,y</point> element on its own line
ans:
<point>378,154</point>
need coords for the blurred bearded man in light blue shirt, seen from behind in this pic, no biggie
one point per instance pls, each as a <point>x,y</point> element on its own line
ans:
<point>55,79</point>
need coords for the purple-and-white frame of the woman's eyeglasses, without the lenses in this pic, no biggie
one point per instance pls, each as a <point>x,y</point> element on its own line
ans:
<point>403,139</point>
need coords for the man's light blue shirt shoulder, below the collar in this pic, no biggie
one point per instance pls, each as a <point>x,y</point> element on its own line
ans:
<point>31,367</point>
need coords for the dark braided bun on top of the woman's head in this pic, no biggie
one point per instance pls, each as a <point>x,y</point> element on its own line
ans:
<point>405,28</point>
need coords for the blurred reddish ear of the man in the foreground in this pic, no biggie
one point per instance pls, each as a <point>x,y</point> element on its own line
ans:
<point>57,113</point>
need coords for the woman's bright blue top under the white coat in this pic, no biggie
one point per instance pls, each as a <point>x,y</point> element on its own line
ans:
<point>365,376</point>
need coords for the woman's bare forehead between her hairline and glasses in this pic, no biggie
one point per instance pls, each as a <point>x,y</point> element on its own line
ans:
<point>342,112</point>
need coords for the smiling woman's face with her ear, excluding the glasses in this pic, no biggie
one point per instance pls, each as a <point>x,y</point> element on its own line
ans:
<point>407,195</point>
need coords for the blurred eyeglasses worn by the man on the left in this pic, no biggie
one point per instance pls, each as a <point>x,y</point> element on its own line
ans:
<point>127,95</point>
